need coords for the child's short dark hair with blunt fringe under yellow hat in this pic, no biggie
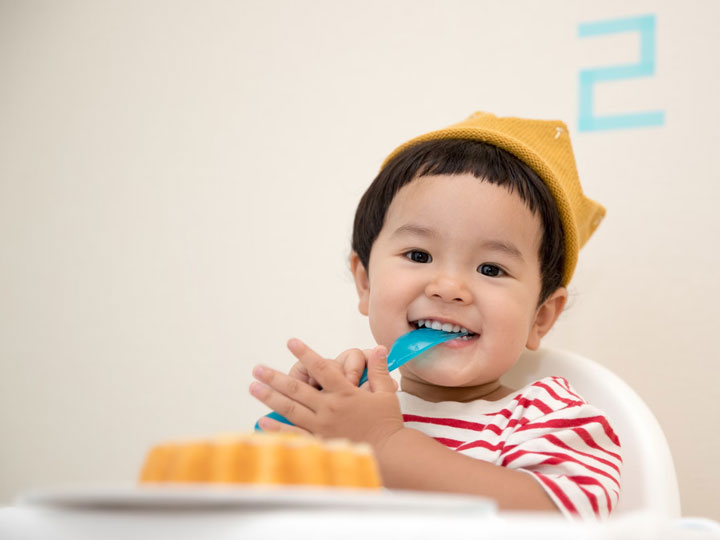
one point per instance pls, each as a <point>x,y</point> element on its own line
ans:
<point>460,156</point>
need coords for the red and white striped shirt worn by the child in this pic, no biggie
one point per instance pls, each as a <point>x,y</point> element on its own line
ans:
<point>545,429</point>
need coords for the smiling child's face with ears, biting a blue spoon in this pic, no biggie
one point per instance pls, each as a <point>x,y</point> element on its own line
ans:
<point>457,250</point>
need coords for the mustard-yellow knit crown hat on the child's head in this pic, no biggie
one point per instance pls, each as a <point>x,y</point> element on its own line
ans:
<point>544,145</point>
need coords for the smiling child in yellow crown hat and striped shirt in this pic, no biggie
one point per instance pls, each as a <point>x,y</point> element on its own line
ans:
<point>475,228</point>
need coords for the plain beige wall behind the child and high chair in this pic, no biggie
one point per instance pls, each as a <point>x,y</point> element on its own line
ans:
<point>177,183</point>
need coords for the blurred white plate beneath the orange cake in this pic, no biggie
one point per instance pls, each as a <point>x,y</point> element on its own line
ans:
<point>186,497</point>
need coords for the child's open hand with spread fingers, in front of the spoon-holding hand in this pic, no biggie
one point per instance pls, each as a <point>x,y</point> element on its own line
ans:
<point>340,409</point>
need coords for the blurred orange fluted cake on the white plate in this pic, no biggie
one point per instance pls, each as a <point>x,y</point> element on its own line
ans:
<point>263,458</point>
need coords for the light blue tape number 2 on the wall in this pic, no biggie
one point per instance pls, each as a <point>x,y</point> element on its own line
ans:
<point>645,25</point>
